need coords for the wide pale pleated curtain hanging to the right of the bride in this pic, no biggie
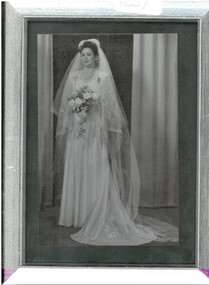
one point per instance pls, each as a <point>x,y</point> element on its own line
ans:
<point>155,117</point>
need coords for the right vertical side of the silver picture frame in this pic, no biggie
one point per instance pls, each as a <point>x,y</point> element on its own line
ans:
<point>203,152</point>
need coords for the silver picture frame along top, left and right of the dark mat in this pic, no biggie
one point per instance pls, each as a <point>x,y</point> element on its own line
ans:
<point>14,105</point>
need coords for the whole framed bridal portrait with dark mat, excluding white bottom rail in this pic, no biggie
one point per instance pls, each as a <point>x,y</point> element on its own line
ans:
<point>105,139</point>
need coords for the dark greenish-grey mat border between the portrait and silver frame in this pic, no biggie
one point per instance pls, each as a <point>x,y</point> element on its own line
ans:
<point>184,254</point>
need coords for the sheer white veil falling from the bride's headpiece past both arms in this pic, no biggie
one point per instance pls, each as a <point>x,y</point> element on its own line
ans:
<point>116,124</point>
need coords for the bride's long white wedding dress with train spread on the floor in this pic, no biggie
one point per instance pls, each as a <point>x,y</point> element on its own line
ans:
<point>91,199</point>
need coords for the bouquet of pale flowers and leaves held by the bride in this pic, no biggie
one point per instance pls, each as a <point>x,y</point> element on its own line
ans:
<point>83,101</point>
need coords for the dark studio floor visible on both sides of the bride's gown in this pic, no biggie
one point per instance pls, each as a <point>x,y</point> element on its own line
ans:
<point>50,233</point>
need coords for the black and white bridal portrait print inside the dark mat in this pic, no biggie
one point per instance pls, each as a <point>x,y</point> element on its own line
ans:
<point>108,139</point>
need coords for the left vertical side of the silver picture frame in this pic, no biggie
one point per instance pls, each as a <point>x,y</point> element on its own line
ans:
<point>13,165</point>
